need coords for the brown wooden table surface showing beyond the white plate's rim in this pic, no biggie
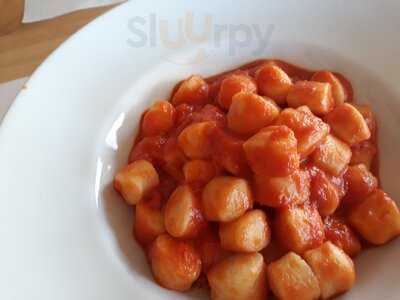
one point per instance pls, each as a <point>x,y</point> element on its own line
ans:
<point>23,47</point>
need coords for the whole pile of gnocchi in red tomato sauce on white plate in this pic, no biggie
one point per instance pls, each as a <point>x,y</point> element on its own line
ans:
<point>260,180</point>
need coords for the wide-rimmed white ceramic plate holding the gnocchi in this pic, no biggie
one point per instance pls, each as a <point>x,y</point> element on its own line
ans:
<point>64,233</point>
